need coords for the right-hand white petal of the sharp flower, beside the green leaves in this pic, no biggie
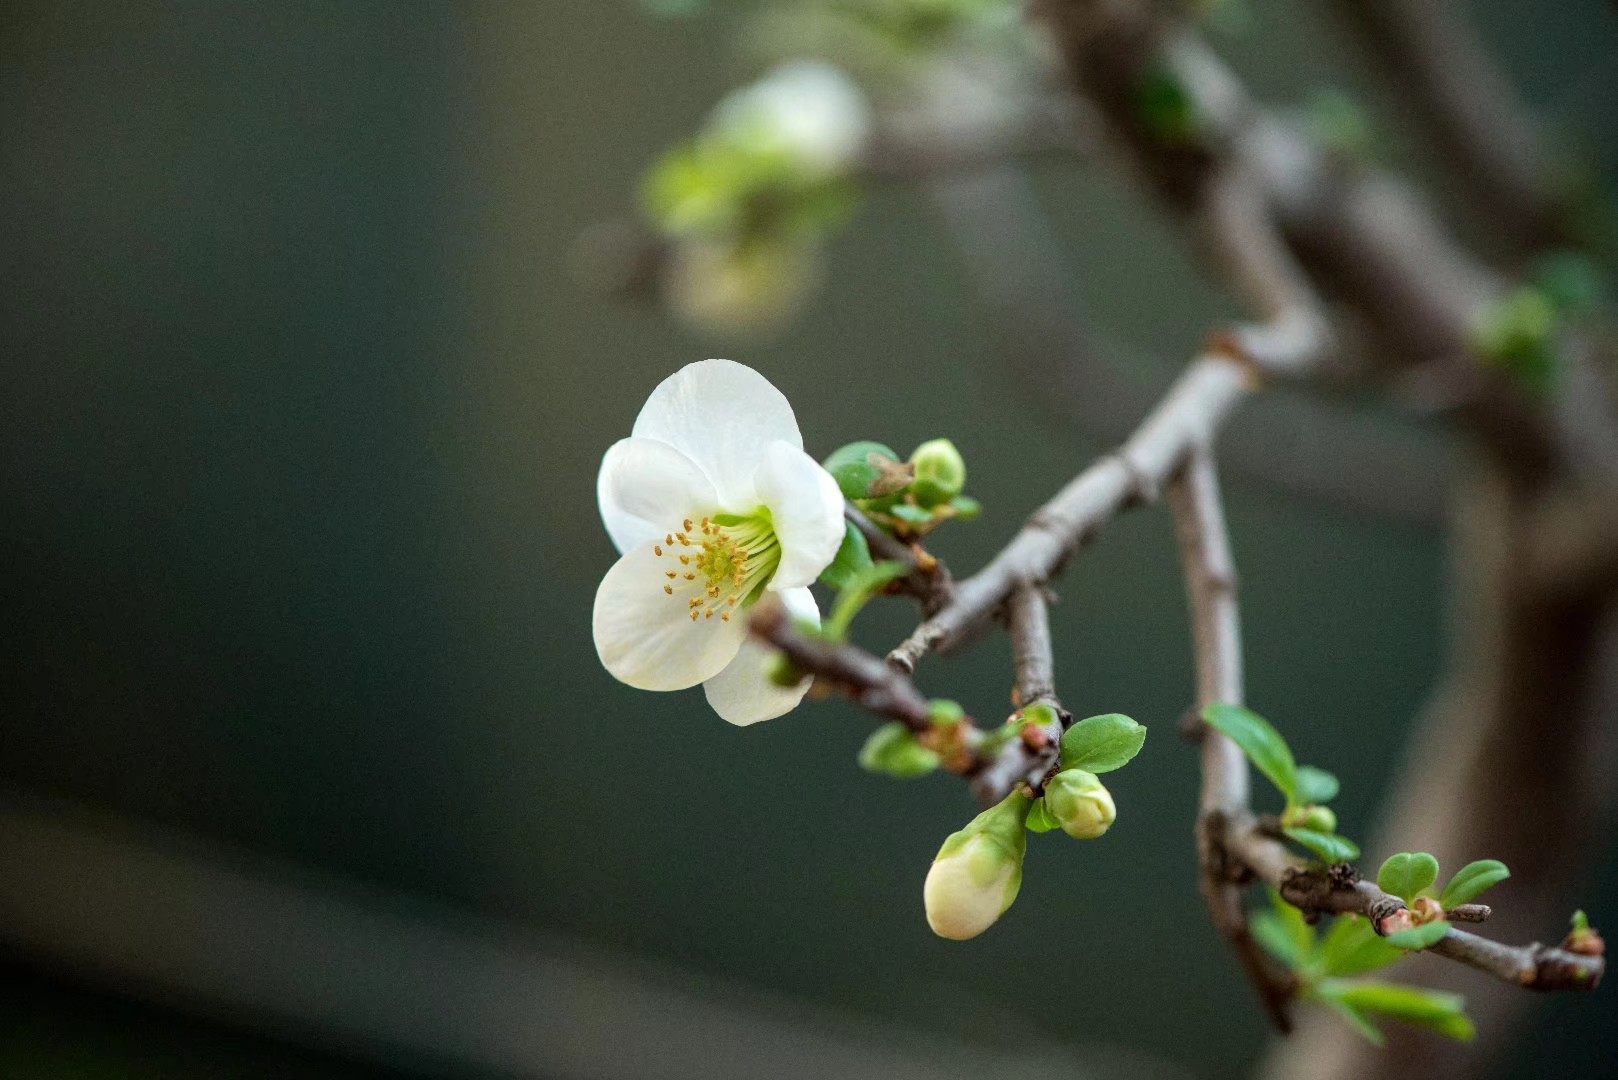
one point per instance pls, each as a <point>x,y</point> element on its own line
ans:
<point>807,509</point>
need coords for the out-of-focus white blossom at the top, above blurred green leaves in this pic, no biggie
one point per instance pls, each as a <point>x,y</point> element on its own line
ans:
<point>807,109</point>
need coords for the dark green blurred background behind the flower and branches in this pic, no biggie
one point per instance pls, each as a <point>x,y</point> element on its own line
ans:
<point>299,444</point>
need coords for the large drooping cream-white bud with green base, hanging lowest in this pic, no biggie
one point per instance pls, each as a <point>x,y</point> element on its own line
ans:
<point>978,872</point>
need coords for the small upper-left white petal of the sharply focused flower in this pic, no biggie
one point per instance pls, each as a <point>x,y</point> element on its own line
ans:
<point>646,488</point>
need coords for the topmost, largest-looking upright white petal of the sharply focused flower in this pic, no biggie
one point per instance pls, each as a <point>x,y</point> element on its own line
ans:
<point>721,415</point>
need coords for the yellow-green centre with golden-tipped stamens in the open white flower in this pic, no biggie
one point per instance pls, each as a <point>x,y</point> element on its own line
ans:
<point>721,564</point>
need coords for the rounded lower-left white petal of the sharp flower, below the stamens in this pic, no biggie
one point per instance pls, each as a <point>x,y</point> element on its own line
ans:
<point>646,639</point>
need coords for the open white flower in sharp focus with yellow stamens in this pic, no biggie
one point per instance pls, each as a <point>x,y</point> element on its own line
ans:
<point>713,503</point>
